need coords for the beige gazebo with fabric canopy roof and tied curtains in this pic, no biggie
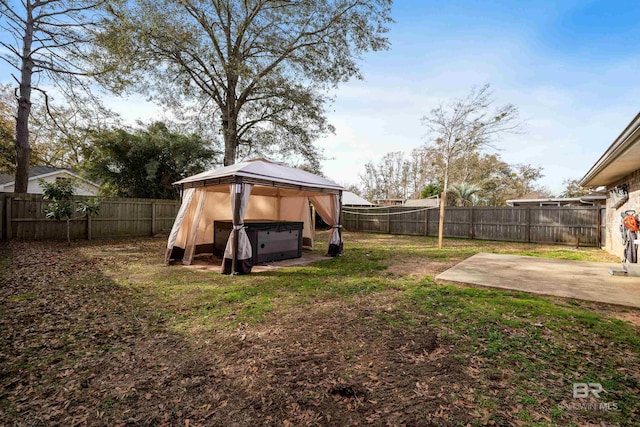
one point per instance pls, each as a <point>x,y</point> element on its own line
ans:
<point>255,190</point>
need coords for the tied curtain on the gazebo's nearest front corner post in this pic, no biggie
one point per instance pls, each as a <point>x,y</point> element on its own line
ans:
<point>245,252</point>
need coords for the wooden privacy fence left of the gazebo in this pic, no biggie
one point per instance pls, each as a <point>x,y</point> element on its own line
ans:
<point>23,218</point>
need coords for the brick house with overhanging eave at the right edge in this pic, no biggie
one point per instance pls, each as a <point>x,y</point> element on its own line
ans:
<point>618,169</point>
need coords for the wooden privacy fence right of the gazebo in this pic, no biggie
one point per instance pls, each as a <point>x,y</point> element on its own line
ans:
<point>547,224</point>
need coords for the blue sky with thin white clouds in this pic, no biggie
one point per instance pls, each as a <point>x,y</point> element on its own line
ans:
<point>569,66</point>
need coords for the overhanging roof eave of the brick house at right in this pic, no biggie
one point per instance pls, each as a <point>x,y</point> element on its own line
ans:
<point>619,160</point>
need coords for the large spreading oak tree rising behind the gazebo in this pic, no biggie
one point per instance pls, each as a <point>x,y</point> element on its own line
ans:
<point>261,69</point>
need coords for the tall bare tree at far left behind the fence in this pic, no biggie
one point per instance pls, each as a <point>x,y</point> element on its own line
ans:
<point>46,41</point>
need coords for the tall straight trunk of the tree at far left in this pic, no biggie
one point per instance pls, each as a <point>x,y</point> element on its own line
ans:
<point>23,150</point>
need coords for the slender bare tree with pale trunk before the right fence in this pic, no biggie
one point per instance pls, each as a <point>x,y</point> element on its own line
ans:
<point>465,125</point>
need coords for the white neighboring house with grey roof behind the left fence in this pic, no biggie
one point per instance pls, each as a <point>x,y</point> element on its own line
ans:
<point>83,187</point>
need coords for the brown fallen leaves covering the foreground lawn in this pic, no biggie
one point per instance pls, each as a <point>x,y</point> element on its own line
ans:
<point>80,348</point>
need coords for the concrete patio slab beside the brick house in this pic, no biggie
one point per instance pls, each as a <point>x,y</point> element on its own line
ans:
<point>589,281</point>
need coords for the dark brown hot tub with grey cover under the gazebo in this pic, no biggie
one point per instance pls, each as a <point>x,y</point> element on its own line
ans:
<point>270,240</point>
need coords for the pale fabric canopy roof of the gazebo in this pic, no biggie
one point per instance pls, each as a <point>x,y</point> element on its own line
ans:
<point>264,172</point>
